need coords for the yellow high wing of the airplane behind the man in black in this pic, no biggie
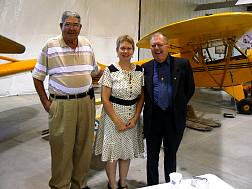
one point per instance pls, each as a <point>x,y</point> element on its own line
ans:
<point>185,35</point>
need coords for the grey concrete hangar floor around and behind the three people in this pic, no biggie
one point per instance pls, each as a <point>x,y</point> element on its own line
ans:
<point>225,151</point>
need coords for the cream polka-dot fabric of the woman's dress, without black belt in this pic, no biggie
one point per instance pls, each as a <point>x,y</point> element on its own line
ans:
<point>114,145</point>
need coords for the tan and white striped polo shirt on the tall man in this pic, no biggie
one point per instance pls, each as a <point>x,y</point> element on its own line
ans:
<point>69,69</point>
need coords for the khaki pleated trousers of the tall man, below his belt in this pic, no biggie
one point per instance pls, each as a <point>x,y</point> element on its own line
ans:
<point>71,129</point>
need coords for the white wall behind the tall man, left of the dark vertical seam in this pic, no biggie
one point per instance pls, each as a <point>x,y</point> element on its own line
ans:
<point>31,23</point>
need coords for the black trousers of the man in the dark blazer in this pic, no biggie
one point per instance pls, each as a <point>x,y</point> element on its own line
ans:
<point>163,130</point>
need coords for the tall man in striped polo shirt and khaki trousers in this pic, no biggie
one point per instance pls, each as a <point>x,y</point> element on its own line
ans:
<point>69,61</point>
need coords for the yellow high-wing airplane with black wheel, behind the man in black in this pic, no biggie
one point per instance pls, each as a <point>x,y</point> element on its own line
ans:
<point>209,42</point>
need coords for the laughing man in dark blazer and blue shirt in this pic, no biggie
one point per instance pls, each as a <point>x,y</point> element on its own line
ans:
<point>168,87</point>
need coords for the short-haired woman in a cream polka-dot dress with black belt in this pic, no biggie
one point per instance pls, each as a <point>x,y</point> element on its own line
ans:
<point>119,137</point>
